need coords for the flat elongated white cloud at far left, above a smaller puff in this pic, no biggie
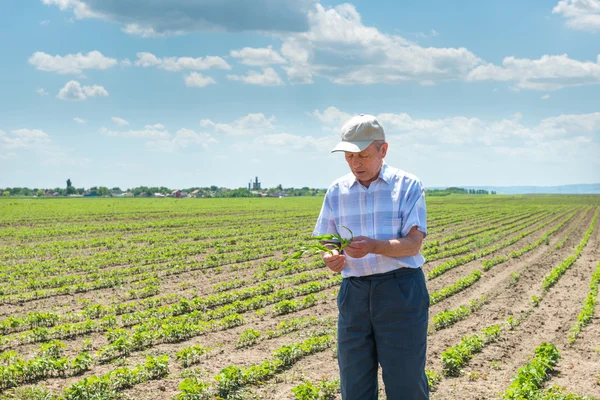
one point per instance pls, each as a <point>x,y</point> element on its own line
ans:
<point>71,63</point>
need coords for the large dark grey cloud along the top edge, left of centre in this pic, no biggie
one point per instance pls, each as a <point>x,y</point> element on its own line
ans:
<point>169,17</point>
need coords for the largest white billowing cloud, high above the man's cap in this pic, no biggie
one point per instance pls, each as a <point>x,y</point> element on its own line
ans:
<point>340,48</point>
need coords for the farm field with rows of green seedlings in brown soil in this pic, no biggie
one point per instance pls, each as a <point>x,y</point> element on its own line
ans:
<point>200,298</point>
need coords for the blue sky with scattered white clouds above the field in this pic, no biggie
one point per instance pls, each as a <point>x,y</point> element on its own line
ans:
<point>187,93</point>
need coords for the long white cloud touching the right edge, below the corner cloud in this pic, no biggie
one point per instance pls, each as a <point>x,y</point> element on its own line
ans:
<point>547,73</point>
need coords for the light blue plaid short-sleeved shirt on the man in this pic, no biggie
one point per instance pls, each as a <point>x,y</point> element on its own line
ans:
<point>388,209</point>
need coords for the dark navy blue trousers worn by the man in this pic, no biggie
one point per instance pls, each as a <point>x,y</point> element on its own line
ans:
<point>383,320</point>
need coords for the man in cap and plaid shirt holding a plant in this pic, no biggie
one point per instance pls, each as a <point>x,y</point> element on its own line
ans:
<point>383,301</point>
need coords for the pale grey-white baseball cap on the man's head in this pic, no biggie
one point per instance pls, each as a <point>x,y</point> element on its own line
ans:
<point>358,133</point>
